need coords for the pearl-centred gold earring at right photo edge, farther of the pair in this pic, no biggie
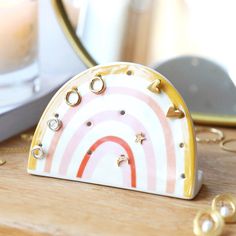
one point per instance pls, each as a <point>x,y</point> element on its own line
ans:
<point>225,204</point>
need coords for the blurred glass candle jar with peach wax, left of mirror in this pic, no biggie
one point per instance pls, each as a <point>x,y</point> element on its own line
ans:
<point>18,50</point>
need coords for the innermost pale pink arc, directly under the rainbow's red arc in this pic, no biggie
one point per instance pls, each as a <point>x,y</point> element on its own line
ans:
<point>99,154</point>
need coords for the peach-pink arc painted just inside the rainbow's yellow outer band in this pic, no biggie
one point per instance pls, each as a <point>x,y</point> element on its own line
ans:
<point>169,142</point>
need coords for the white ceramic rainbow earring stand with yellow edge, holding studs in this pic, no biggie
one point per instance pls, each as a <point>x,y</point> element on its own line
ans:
<point>122,125</point>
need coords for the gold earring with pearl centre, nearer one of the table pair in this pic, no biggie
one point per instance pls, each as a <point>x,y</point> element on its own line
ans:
<point>208,223</point>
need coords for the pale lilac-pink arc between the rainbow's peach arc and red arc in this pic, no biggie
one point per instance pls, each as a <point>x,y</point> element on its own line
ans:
<point>114,116</point>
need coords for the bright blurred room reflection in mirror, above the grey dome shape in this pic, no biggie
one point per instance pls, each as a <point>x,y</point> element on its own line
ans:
<point>150,31</point>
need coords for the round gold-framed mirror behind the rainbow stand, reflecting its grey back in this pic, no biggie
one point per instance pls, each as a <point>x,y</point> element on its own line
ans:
<point>191,42</point>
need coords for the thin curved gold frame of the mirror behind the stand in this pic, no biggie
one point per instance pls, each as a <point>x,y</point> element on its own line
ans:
<point>87,59</point>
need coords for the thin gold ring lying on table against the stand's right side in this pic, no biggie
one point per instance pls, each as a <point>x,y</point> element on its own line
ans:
<point>218,132</point>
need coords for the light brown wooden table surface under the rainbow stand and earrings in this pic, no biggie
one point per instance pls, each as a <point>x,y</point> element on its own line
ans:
<point>32,205</point>
